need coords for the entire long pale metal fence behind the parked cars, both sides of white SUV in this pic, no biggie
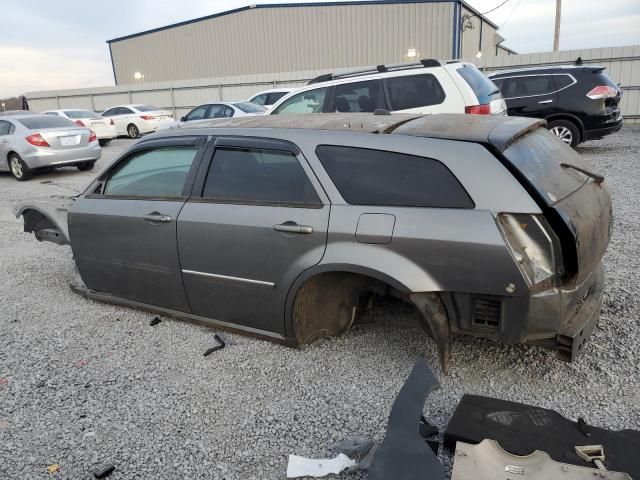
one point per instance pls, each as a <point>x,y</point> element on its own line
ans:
<point>623,65</point>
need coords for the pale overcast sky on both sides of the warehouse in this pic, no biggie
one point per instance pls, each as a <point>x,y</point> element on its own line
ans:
<point>46,45</point>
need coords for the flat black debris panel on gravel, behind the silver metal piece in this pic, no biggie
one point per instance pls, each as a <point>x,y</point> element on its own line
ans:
<point>521,429</point>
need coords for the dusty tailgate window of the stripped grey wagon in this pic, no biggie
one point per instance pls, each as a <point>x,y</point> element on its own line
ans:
<point>539,155</point>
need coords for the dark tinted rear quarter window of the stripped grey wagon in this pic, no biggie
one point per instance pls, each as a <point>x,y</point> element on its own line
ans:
<point>376,177</point>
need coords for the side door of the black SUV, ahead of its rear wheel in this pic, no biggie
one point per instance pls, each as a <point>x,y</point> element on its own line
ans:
<point>529,95</point>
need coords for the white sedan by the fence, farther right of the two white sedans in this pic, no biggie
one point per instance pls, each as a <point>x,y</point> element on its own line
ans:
<point>136,119</point>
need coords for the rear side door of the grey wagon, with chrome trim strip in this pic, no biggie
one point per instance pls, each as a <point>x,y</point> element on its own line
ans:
<point>256,220</point>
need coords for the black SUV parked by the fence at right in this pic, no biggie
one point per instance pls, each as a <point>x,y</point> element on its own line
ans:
<point>579,102</point>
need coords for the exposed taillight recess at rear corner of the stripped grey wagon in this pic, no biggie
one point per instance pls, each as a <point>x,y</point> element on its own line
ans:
<point>533,246</point>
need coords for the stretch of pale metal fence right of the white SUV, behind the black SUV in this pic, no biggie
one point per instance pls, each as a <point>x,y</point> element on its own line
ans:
<point>622,64</point>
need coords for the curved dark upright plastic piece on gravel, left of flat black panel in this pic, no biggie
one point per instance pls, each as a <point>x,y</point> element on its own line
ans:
<point>404,454</point>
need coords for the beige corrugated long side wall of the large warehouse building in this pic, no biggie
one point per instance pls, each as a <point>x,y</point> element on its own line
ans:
<point>287,39</point>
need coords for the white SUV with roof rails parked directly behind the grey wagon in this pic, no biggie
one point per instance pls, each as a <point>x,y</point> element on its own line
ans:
<point>422,87</point>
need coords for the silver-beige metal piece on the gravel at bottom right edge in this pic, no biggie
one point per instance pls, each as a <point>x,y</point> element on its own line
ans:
<point>487,461</point>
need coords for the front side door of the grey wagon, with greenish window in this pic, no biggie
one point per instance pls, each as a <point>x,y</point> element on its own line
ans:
<point>123,232</point>
